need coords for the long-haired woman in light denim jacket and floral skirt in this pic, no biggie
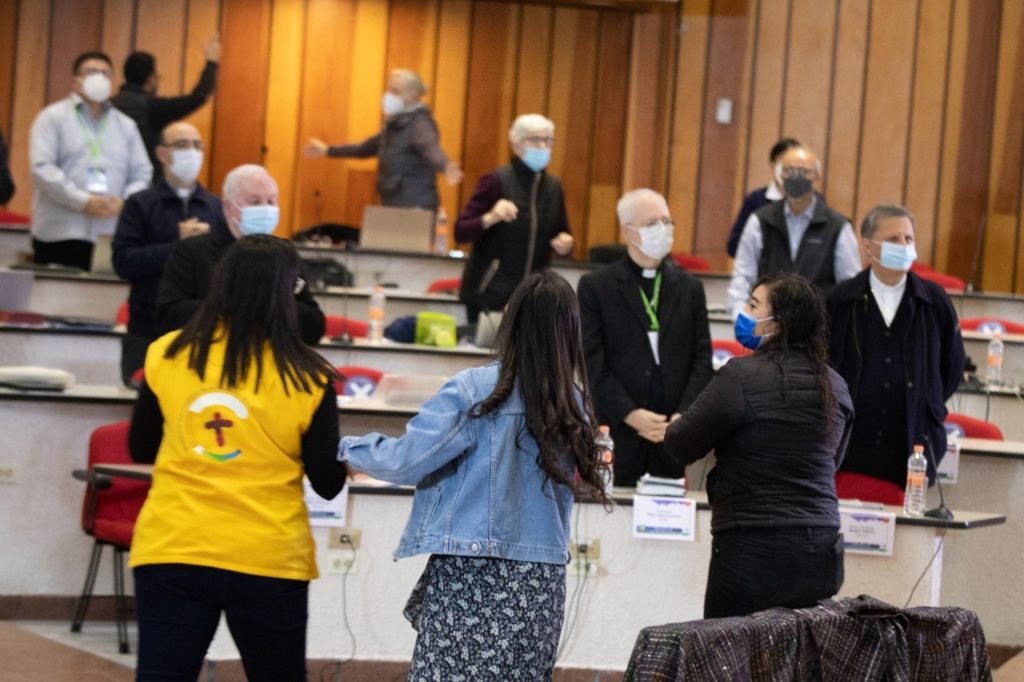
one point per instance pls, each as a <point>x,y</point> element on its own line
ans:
<point>494,457</point>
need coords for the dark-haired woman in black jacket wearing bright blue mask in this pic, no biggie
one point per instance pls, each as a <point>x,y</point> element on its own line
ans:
<point>779,422</point>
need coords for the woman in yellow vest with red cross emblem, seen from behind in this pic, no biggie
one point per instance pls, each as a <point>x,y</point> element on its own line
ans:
<point>235,410</point>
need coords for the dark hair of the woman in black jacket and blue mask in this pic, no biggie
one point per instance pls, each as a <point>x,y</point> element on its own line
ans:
<point>801,324</point>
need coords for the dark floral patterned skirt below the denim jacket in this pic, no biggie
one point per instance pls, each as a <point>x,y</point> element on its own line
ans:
<point>484,619</point>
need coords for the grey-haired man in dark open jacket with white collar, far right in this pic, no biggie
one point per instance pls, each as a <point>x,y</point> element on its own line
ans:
<point>897,340</point>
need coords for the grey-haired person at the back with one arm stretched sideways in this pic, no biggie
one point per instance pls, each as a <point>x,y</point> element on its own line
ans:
<point>408,147</point>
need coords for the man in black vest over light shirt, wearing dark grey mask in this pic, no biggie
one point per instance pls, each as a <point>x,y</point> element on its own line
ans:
<point>799,234</point>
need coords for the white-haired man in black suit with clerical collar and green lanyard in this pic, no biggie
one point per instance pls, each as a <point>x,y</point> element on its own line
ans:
<point>647,339</point>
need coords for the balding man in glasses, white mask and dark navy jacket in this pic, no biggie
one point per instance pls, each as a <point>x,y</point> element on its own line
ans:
<point>177,207</point>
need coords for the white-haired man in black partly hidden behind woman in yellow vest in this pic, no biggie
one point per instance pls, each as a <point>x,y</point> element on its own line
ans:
<point>250,202</point>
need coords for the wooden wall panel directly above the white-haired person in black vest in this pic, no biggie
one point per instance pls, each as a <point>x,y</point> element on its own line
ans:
<point>533,73</point>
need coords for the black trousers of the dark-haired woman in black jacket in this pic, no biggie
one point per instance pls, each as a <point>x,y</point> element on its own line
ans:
<point>755,569</point>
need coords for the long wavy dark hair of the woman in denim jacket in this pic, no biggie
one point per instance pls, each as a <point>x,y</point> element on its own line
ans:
<point>540,348</point>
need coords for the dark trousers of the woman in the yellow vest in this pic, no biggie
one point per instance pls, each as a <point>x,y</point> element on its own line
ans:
<point>179,609</point>
